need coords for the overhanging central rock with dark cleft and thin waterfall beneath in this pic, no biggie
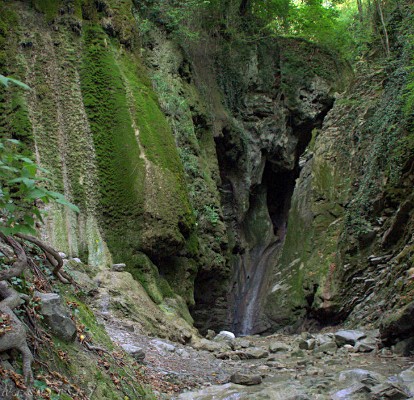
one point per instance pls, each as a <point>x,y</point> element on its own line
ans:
<point>276,93</point>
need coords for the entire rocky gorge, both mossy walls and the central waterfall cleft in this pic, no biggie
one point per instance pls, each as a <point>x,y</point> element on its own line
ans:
<point>249,182</point>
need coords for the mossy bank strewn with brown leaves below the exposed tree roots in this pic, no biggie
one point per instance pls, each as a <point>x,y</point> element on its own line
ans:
<point>87,370</point>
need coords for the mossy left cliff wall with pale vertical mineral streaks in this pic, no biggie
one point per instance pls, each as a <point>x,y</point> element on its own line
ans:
<point>93,120</point>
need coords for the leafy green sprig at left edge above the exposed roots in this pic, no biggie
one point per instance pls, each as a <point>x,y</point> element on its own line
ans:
<point>21,190</point>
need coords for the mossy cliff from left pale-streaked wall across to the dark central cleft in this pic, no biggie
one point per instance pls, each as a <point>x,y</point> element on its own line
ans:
<point>239,116</point>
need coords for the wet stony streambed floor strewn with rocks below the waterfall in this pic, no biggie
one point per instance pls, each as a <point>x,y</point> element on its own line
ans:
<point>306,366</point>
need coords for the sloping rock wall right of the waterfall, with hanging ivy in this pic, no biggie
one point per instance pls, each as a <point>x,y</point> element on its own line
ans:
<point>348,251</point>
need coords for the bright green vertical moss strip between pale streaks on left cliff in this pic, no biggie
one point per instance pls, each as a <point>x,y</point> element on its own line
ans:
<point>120,169</point>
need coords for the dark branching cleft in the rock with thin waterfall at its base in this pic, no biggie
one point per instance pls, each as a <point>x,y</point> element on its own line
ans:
<point>263,227</point>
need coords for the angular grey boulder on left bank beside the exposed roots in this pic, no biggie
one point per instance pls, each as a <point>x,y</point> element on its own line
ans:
<point>56,316</point>
